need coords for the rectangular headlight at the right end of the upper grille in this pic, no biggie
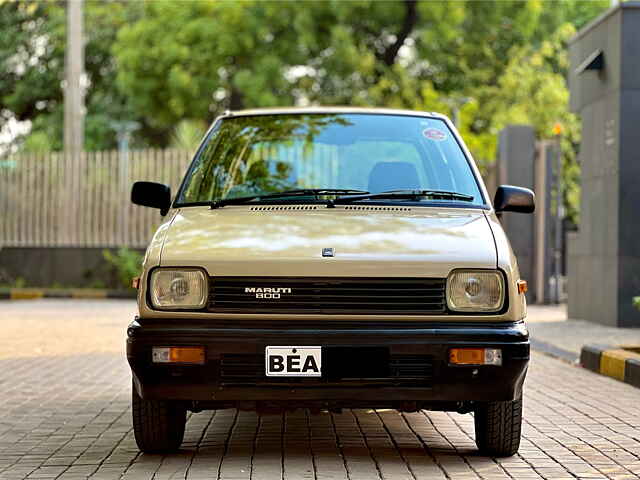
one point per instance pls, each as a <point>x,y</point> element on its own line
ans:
<point>475,291</point>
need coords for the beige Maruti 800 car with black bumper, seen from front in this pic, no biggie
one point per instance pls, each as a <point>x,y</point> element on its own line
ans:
<point>330,258</point>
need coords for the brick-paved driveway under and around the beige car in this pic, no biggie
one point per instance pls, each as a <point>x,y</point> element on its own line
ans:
<point>66,415</point>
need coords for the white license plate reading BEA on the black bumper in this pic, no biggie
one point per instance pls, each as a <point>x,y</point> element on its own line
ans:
<point>293,361</point>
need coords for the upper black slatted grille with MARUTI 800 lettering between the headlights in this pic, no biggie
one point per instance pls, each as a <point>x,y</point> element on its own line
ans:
<point>383,296</point>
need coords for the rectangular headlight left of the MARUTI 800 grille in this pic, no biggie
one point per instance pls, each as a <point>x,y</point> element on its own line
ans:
<point>173,288</point>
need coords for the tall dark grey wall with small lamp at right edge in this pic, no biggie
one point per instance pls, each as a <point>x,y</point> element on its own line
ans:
<point>604,261</point>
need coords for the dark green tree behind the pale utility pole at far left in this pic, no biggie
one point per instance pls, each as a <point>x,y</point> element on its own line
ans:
<point>32,49</point>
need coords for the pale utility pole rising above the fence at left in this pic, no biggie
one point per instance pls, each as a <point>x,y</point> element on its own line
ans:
<point>74,80</point>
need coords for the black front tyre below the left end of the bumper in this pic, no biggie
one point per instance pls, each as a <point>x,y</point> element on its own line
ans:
<point>158,425</point>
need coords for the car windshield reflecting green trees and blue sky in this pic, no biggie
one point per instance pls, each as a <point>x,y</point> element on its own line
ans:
<point>265,154</point>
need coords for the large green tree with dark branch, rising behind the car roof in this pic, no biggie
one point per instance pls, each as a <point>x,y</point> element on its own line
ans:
<point>193,60</point>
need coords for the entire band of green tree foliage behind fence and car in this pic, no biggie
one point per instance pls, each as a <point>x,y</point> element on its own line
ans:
<point>173,66</point>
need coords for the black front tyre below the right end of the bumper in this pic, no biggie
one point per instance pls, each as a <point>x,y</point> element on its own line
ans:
<point>498,427</point>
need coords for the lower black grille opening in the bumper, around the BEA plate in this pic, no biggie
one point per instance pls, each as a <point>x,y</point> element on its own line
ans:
<point>340,365</point>
